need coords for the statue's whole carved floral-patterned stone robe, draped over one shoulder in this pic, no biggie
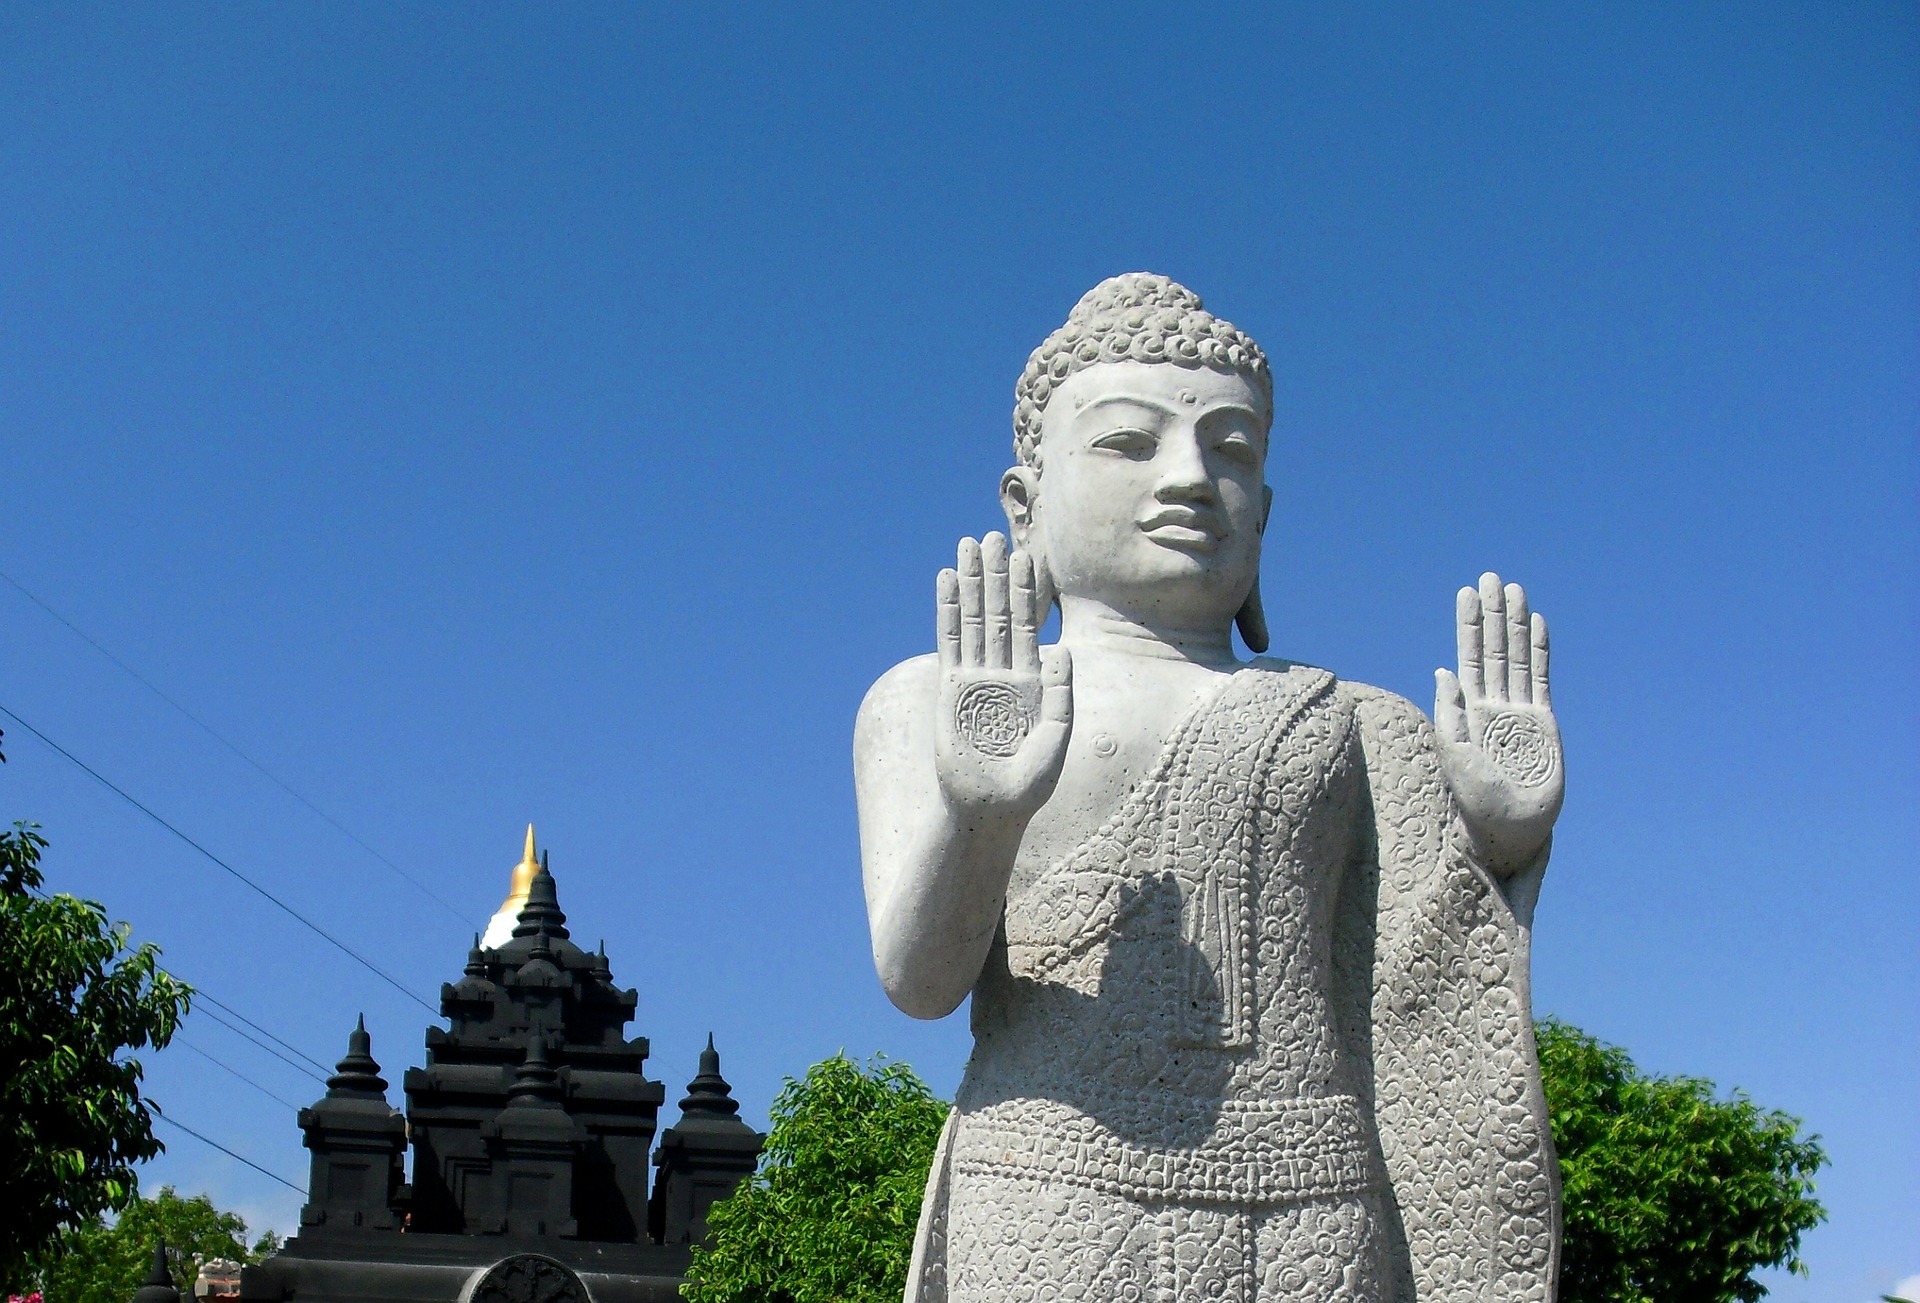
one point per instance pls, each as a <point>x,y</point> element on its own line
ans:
<point>1262,1037</point>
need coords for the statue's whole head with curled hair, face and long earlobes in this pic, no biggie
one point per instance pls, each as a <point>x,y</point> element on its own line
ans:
<point>1141,440</point>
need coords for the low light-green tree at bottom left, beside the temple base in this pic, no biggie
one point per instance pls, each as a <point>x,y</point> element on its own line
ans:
<point>107,1264</point>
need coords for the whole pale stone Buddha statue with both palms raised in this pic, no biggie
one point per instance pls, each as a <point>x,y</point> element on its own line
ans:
<point>1247,943</point>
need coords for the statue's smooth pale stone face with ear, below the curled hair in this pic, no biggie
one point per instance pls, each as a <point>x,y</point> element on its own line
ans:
<point>1151,494</point>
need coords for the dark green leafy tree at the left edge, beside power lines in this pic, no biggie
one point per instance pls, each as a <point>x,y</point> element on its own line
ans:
<point>74,1003</point>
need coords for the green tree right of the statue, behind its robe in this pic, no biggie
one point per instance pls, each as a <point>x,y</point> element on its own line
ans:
<point>1671,1195</point>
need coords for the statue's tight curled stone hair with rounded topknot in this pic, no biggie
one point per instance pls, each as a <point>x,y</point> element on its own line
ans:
<point>1132,318</point>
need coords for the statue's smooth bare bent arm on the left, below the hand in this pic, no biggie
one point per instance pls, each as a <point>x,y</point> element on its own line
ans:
<point>936,874</point>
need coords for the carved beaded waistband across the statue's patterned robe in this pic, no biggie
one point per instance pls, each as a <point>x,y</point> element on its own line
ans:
<point>1259,1152</point>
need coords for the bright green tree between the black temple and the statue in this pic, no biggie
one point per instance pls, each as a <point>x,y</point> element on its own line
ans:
<point>830,1218</point>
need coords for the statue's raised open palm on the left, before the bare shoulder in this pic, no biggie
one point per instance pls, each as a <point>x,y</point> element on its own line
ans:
<point>1005,707</point>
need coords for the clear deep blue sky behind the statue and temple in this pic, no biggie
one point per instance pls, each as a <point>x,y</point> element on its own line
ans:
<point>491,415</point>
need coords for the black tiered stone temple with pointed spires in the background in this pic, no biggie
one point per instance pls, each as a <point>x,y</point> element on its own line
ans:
<point>531,1127</point>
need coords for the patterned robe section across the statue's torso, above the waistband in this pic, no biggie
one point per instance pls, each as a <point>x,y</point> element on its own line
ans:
<point>1205,895</point>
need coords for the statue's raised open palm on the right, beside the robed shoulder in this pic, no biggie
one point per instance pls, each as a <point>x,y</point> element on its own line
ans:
<point>1499,742</point>
